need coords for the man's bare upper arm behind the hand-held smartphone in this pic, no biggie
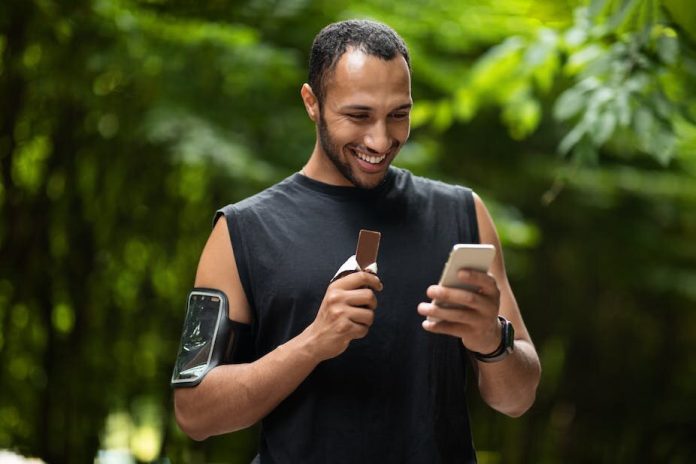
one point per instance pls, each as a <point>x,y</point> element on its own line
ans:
<point>508,304</point>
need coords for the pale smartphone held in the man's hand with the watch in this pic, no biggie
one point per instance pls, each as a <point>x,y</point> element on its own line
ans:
<point>464,256</point>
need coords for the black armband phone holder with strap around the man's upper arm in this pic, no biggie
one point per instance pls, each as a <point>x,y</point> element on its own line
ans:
<point>209,338</point>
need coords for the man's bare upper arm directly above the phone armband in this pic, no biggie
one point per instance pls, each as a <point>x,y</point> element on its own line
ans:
<point>217,269</point>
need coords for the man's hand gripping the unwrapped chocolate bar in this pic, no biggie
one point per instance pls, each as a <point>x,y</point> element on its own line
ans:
<point>346,313</point>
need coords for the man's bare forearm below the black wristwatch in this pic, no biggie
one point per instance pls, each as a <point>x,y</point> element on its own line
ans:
<point>509,386</point>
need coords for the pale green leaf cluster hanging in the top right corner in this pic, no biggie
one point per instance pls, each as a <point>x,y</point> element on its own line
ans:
<point>622,86</point>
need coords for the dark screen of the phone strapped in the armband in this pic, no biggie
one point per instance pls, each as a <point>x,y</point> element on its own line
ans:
<point>198,337</point>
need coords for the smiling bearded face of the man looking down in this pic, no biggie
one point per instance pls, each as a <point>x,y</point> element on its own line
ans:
<point>365,117</point>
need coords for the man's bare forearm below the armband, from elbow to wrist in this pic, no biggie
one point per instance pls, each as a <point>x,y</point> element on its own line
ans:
<point>236,396</point>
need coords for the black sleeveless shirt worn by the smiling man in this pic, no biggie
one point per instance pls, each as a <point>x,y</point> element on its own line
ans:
<point>398,395</point>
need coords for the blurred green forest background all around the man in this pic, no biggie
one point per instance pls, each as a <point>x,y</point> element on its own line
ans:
<point>124,124</point>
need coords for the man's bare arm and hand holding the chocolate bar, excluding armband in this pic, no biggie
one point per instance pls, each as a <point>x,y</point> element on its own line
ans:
<point>235,396</point>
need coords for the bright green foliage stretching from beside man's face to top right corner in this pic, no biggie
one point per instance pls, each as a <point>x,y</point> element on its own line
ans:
<point>627,79</point>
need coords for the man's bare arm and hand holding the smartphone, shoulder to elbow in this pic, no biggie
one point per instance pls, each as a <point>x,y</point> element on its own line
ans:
<point>508,386</point>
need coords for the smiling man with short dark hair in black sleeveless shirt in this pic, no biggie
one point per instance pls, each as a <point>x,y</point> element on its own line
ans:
<point>361,369</point>
